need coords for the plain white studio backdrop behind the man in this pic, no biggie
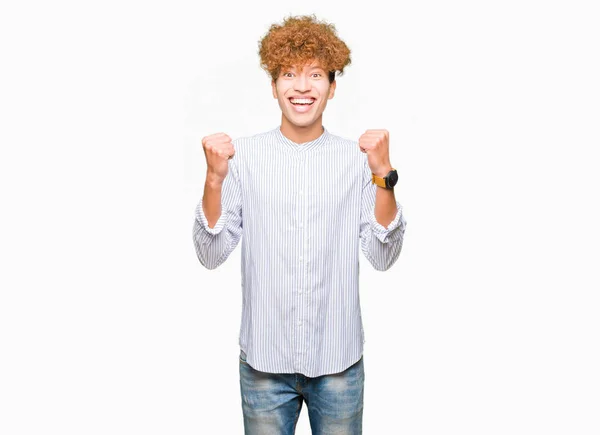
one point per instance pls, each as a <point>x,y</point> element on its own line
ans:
<point>487,324</point>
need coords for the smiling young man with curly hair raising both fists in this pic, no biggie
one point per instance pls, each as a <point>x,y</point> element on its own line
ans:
<point>305,201</point>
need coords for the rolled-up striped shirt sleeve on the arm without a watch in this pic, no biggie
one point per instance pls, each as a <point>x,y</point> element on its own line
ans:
<point>213,245</point>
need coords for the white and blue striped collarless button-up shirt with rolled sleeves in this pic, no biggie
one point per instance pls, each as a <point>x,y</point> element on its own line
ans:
<point>304,211</point>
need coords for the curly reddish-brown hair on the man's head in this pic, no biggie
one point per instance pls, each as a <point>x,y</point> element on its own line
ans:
<point>299,40</point>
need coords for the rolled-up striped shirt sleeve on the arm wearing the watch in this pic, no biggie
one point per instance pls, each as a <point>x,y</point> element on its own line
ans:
<point>379,244</point>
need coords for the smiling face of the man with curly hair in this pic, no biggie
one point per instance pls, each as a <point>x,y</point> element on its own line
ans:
<point>310,85</point>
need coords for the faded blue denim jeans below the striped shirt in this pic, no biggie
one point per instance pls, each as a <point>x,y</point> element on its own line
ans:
<point>271,402</point>
